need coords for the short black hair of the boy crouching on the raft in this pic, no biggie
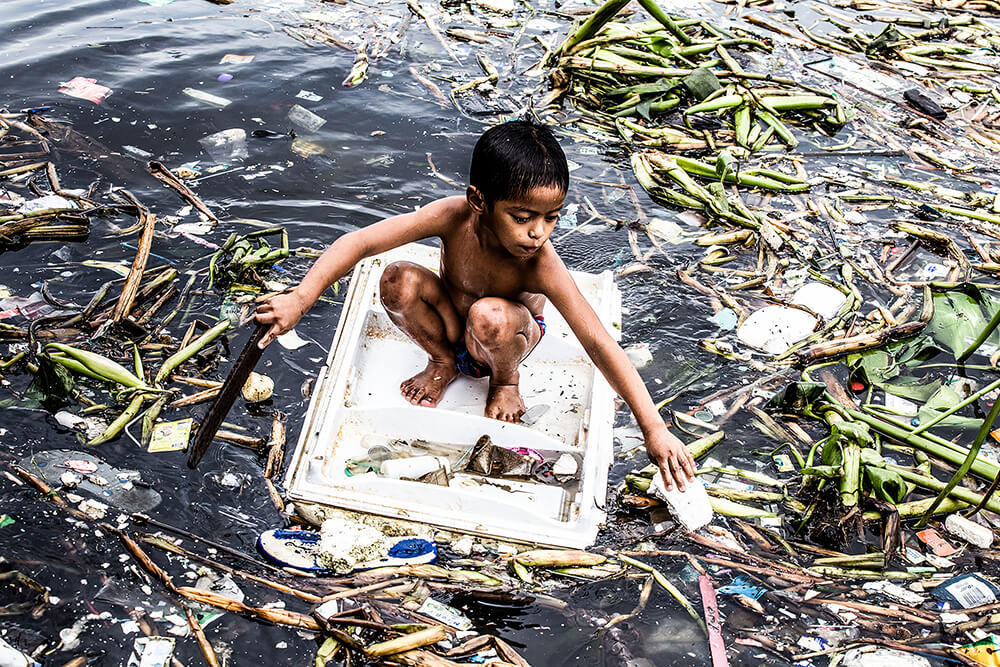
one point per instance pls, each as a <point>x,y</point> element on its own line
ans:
<point>514,157</point>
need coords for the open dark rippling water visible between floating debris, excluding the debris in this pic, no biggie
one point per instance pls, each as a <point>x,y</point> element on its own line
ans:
<point>376,150</point>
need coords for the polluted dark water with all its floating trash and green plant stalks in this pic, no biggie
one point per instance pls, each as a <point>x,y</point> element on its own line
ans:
<point>797,200</point>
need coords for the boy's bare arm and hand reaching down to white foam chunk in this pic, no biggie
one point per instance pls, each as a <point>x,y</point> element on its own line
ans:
<point>664,448</point>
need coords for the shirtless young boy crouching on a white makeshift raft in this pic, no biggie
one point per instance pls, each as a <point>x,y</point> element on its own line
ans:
<point>483,315</point>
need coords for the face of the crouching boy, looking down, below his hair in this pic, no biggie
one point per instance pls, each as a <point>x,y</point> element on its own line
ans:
<point>523,225</point>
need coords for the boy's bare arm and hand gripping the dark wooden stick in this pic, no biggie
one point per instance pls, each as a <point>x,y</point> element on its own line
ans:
<point>284,310</point>
